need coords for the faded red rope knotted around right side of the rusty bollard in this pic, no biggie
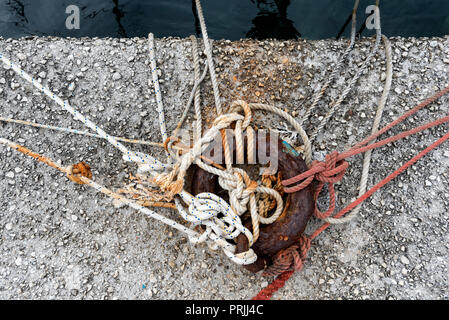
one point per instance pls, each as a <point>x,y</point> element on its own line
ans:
<point>332,170</point>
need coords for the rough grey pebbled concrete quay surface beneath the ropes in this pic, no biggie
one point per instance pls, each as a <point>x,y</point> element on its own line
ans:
<point>65,241</point>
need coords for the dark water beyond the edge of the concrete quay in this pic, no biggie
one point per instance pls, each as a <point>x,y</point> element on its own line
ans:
<point>226,19</point>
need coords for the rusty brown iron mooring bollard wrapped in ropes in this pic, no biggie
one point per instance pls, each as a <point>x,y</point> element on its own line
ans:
<point>288,228</point>
